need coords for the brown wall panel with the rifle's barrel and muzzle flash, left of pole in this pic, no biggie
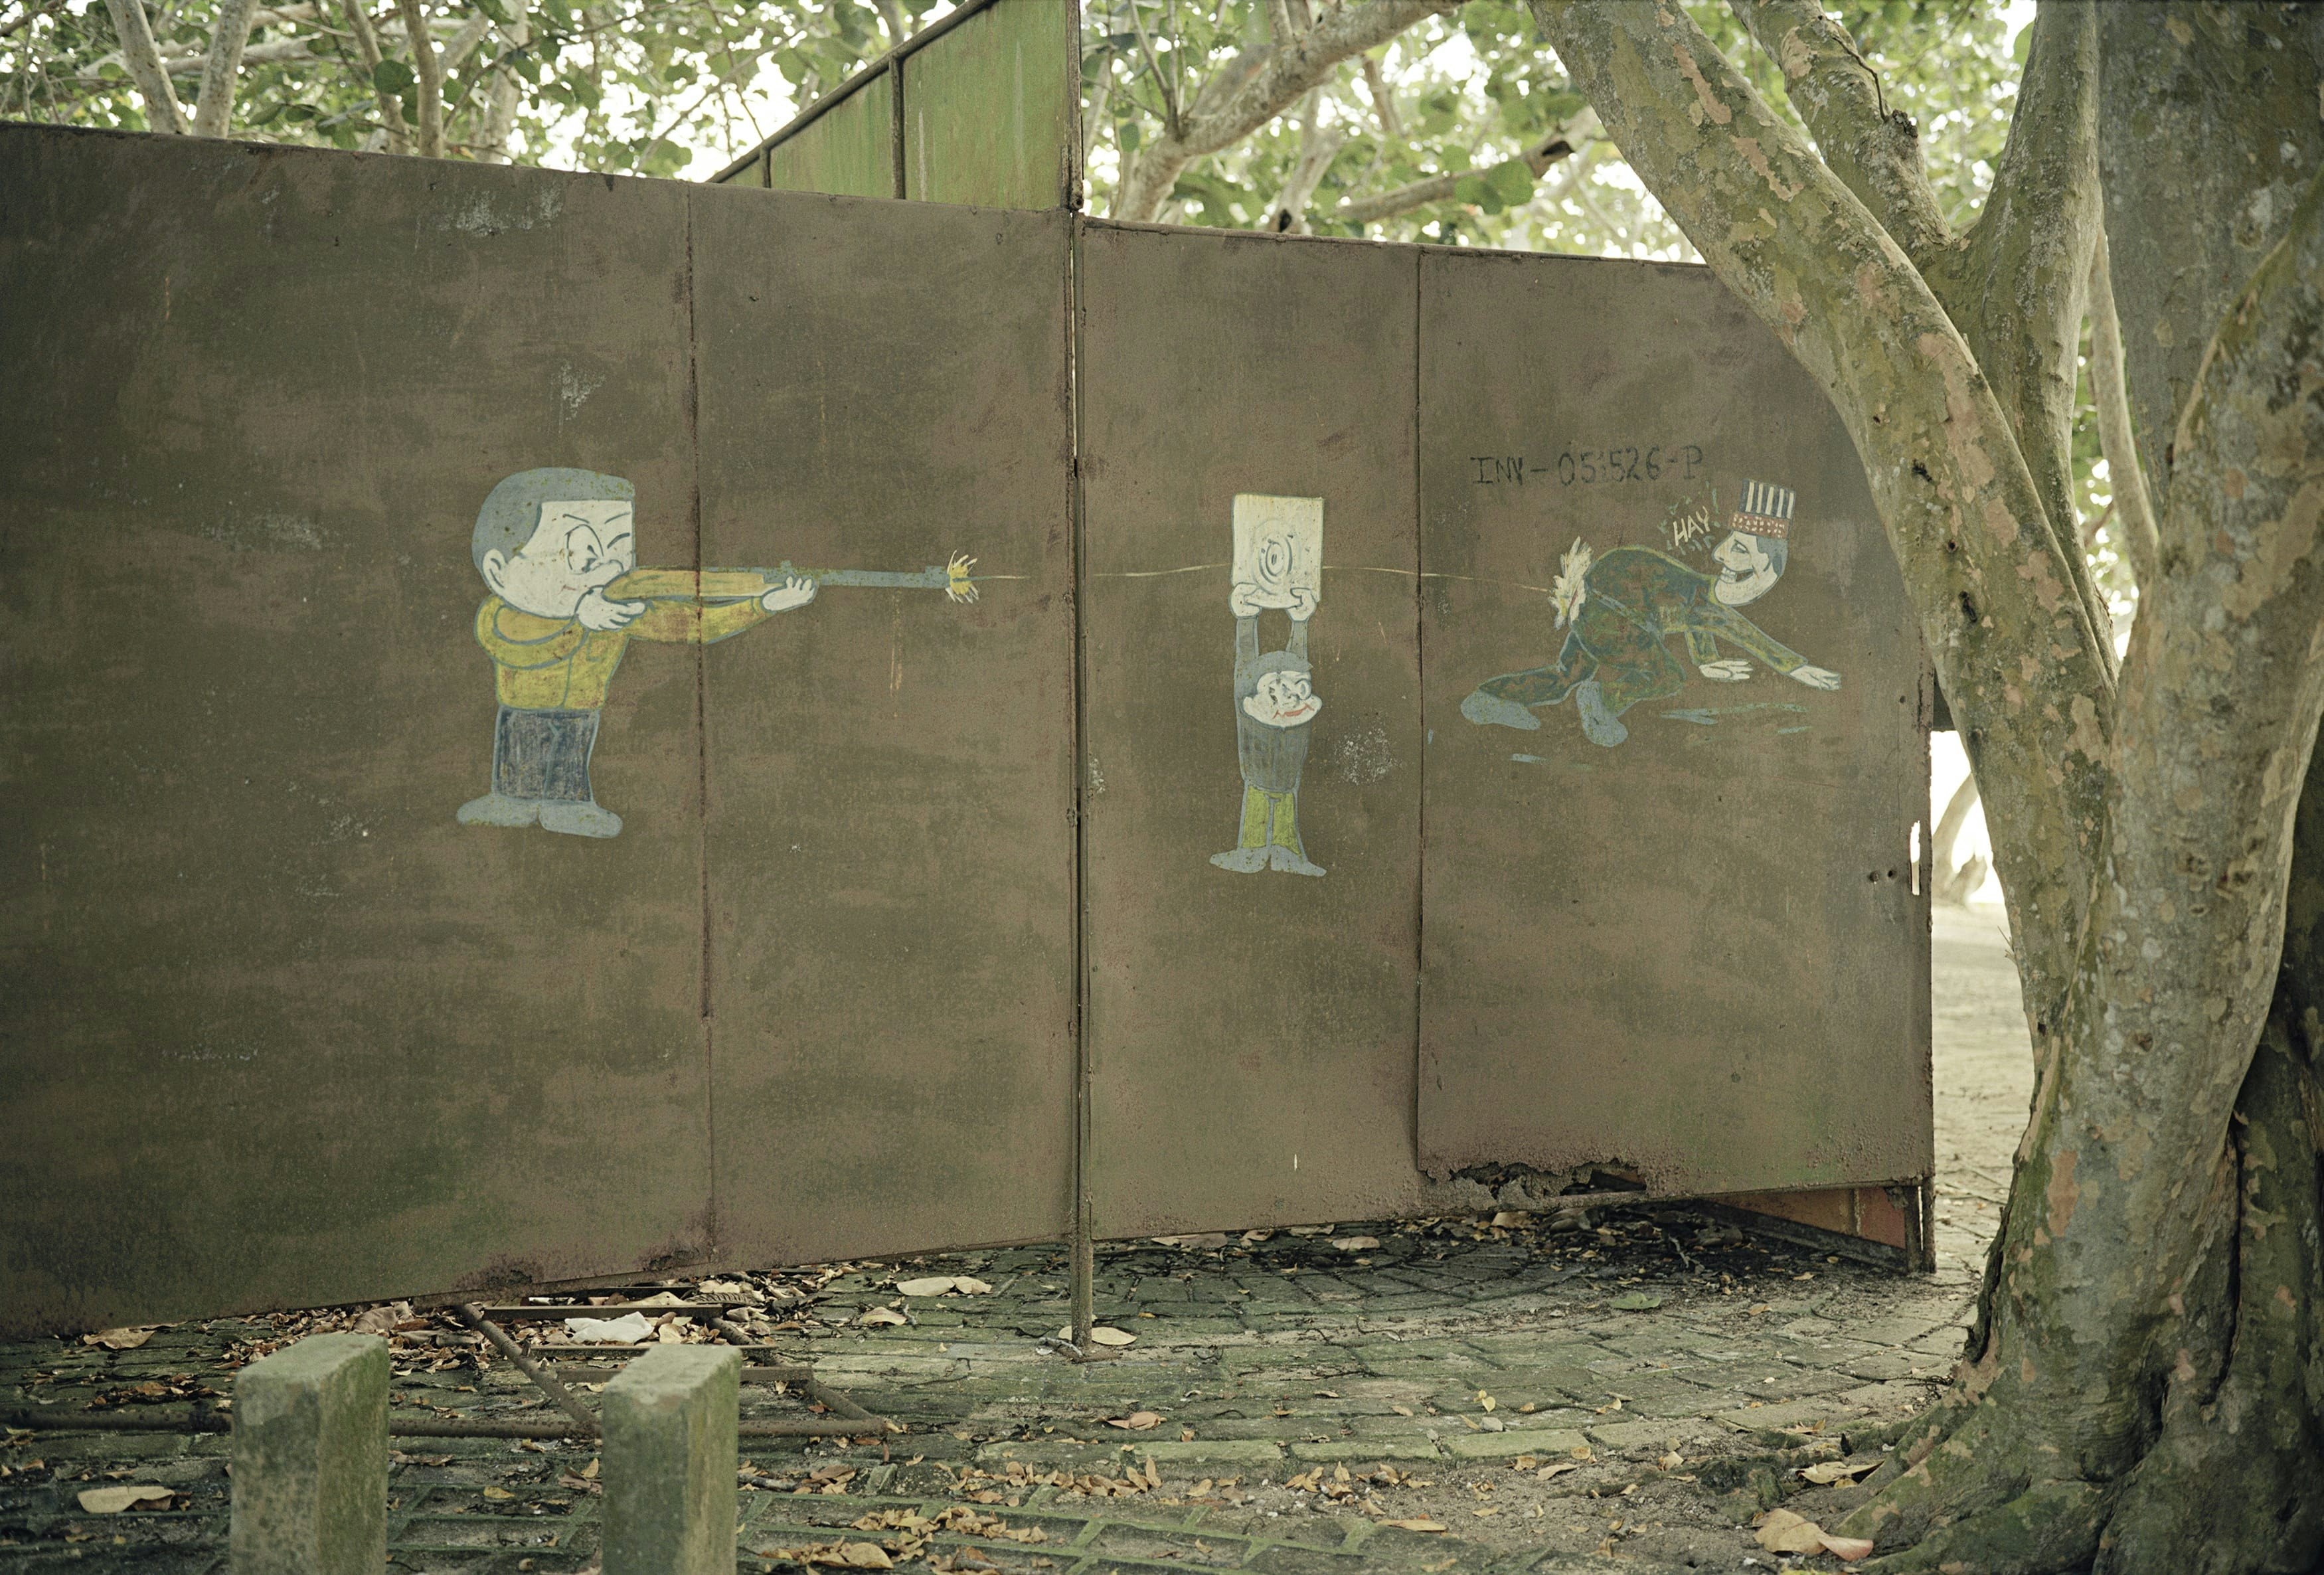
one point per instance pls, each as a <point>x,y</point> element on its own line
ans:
<point>891,840</point>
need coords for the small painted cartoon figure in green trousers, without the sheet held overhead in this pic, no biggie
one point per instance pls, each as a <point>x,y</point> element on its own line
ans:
<point>1275,703</point>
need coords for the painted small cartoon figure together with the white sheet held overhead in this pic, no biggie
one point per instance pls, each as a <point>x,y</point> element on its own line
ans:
<point>1277,566</point>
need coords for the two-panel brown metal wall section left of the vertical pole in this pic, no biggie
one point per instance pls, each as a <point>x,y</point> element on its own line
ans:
<point>278,1030</point>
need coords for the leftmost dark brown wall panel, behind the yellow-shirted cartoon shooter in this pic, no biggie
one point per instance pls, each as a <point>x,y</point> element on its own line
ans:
<point>275,1028</point>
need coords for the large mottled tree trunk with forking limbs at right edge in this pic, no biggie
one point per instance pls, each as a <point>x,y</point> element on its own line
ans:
<point>2146,1381</point>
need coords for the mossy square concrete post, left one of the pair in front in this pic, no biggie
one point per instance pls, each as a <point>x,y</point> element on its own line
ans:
<point>313,1460</point>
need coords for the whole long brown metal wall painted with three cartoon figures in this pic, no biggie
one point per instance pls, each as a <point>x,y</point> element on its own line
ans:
<point>278,1030</point>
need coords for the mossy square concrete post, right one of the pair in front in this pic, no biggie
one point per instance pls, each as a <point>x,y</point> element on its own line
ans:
<point>670,1462</point>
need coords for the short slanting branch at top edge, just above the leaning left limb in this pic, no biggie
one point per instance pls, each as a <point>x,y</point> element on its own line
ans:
<point>1872,148</point>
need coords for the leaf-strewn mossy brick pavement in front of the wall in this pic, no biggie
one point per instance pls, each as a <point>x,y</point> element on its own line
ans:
<point>1621,1393</point>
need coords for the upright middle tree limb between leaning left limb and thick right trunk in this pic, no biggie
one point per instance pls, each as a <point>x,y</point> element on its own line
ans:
<point>2018,282</point>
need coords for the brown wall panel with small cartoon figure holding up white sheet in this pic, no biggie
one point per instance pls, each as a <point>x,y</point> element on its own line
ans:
<point>1251,1035</point>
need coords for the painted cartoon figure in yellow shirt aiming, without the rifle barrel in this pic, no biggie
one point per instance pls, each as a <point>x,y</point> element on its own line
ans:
<point>550,542</point>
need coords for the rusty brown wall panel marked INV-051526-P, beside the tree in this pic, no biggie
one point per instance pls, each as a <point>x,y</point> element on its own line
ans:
<point>1698,954</point>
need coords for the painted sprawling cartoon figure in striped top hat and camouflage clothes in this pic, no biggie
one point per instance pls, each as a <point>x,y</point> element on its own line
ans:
<point>1626,605</point>
